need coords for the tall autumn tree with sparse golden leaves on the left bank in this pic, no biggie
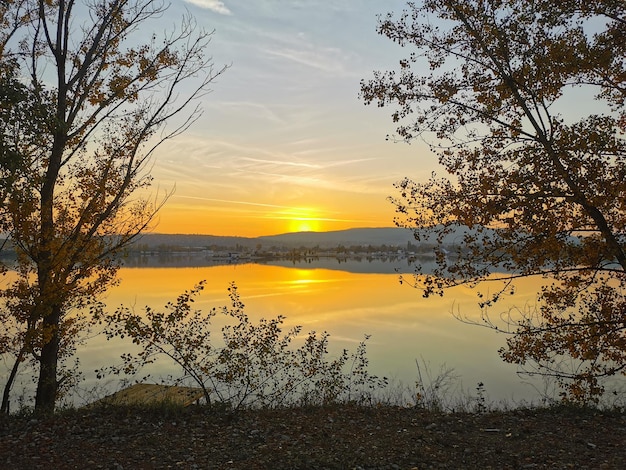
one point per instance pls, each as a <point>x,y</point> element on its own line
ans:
<point>104,99</point>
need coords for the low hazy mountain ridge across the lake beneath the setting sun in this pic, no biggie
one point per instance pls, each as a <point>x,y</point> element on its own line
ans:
<point>390,236</point>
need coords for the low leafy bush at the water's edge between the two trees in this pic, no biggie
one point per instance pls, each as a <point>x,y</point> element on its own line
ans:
<point>252,364</point>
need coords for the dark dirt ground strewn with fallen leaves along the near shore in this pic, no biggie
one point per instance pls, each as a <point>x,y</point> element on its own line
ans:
<point>337,437</point>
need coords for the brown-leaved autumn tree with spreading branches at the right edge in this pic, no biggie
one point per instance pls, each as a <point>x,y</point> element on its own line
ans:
<point>534,187</point>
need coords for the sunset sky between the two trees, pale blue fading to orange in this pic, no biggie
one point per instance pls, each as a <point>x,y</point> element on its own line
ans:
<point>285,143</point>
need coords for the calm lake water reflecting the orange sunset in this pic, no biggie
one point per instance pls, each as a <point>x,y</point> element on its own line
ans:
<point>403,325</point>
